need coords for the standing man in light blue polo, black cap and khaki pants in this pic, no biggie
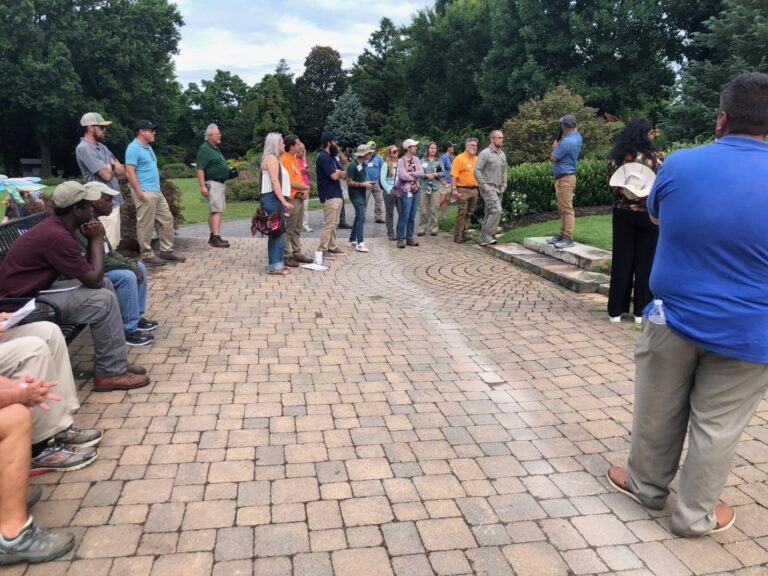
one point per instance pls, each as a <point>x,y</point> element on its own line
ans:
<point>151,206</point>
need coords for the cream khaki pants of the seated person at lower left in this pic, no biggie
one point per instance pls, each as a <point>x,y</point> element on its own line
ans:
<point>39,349</point>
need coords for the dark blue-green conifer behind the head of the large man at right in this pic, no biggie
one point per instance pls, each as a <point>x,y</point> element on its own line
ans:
<point>735,41</point>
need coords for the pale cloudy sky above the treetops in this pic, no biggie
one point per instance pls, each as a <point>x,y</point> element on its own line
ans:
<point>248,38</point>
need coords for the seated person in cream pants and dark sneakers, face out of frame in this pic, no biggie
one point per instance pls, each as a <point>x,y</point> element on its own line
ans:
<point>38,350</point>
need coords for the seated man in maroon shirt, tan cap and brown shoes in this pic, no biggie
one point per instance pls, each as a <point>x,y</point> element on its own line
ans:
<point>50,250</point>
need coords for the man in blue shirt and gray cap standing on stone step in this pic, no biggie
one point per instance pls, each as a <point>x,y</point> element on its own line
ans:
<point>565,154</point>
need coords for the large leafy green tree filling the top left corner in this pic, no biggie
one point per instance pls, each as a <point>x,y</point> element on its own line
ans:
<point>60,59</point>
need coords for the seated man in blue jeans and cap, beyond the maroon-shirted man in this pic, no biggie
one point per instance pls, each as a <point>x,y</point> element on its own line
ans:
<point>128,277</point>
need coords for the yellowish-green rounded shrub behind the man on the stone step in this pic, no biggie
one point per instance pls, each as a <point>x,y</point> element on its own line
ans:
<point>529,135</point>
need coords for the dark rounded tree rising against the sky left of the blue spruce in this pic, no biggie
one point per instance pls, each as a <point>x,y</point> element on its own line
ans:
<point>317,90</point>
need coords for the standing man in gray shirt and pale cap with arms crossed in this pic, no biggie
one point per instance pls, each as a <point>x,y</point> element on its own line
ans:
<point>98,164</point>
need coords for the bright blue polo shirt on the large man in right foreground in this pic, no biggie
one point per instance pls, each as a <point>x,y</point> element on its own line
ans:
<point>711,265</point>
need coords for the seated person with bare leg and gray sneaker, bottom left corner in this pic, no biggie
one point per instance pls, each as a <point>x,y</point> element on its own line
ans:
<point>21,540</point>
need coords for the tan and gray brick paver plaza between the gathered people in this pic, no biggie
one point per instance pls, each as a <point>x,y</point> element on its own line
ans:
<point>423,411</point>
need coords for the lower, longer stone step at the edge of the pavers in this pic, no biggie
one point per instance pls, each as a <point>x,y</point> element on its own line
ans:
<point>566,275</point>
